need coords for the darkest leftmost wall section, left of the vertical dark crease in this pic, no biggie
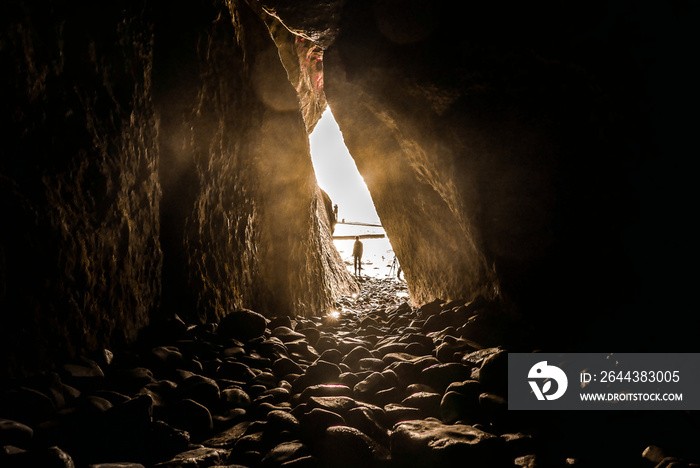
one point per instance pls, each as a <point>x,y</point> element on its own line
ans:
<point>79,249</point>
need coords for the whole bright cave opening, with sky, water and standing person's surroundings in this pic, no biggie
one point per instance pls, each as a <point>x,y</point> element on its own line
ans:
<point>337,175</point>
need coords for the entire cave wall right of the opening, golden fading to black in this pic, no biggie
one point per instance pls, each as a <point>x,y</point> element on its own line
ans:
<point>512,149</point>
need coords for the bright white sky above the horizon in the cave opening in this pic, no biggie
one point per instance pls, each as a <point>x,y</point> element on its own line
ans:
<point>337,173</point>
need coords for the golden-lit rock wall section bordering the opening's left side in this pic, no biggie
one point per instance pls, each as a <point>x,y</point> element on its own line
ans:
<point>243,217</point>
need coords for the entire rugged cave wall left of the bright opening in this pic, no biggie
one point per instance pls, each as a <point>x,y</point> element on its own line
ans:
<point>156,162</point>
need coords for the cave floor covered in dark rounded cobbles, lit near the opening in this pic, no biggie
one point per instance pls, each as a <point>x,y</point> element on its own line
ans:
<point>379,384</point>
